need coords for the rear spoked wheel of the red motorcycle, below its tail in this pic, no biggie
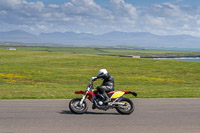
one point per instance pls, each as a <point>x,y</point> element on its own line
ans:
<point>127,108</point>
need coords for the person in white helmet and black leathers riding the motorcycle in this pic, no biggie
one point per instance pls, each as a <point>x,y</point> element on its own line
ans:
<point>107,85</point>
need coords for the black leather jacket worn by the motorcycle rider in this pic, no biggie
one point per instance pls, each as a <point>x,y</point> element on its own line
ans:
<point>108,80</point>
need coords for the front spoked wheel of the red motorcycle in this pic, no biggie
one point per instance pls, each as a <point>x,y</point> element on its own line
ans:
<point>75,106</point>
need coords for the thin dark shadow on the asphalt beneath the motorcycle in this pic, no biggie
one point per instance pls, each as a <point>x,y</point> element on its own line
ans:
<point>90,113</point>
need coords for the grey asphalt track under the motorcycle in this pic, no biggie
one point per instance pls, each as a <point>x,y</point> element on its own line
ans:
<point>53,116</point>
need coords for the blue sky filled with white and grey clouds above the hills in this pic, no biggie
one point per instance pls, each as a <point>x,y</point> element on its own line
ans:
<point>161,17</point>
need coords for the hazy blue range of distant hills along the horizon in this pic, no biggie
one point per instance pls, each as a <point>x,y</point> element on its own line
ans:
<point>141,39</point>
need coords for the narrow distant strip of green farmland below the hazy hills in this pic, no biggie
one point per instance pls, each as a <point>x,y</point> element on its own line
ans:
<point>107,51</point>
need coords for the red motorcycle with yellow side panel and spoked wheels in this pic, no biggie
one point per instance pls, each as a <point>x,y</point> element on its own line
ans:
<point>122,105</point>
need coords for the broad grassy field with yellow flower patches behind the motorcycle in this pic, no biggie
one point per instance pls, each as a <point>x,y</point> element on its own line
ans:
<point>42,74</point>
